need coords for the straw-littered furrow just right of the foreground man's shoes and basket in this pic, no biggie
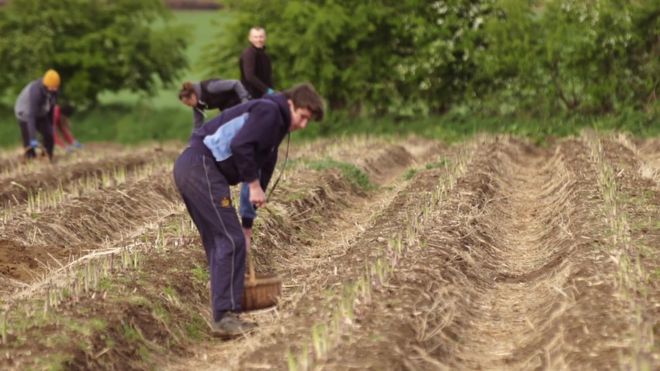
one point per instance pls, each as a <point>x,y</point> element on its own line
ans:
<point>339,254</point>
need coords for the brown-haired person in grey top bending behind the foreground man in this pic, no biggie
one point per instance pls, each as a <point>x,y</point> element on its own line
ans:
<point>209,94</point>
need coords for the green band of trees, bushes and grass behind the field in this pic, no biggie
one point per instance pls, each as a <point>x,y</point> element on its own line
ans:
<point>444,69</point>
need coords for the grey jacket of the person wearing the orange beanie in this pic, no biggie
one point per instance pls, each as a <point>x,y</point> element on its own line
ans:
<point>34,103</point>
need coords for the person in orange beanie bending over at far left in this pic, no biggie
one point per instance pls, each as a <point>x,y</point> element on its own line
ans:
<point>34,111</point>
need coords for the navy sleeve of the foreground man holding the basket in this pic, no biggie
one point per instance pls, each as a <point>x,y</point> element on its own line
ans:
<point>258,134</point>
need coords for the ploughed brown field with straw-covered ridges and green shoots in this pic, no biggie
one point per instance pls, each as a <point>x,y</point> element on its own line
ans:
<point>395,254</point>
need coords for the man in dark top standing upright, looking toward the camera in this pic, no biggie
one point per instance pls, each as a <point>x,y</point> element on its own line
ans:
<point>256,71</point>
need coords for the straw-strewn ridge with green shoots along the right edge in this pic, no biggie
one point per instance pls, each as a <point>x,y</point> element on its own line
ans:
<point>635,283</point>
